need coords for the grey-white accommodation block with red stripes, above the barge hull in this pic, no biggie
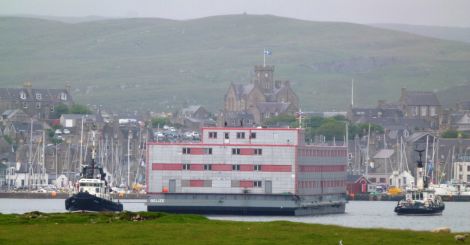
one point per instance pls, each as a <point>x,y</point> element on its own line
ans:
<point>248,160</point>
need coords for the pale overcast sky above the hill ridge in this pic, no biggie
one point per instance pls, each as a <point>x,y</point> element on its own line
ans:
<point>416,12</point>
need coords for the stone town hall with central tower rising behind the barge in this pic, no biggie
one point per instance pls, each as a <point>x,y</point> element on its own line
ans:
<point>248,105</point>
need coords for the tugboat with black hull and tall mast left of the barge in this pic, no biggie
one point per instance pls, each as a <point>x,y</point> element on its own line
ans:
<point>92,192</point>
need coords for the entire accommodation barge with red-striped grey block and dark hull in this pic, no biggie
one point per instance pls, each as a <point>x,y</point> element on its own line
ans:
<point>255,171</point>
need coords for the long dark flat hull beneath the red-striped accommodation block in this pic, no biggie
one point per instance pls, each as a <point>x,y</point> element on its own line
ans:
<point>233,204</point>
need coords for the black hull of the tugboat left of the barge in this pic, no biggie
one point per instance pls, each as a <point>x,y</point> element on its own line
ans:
<point>83,201</point>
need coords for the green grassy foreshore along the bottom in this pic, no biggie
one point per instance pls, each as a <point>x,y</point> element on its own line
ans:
<point>158,228</point>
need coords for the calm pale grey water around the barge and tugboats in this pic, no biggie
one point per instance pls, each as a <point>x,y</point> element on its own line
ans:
<point>358,214</point>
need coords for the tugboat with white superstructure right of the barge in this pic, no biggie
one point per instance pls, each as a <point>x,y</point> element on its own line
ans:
<point>420,200</point>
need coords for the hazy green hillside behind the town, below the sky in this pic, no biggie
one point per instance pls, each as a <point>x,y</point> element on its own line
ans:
<point>159,64</point>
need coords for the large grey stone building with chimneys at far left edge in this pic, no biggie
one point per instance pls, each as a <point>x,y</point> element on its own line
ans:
<point>40,103</point>
